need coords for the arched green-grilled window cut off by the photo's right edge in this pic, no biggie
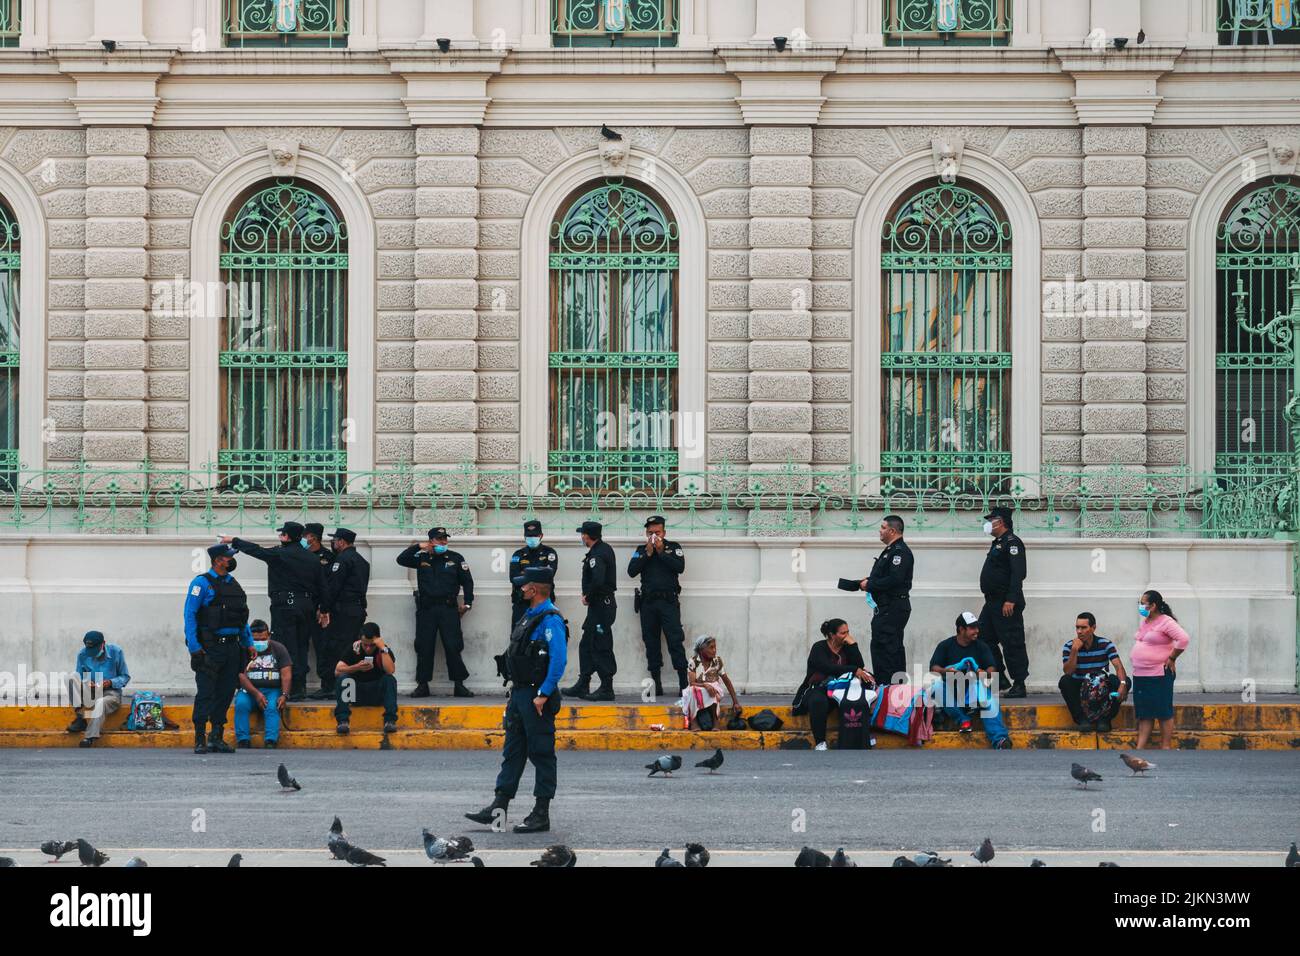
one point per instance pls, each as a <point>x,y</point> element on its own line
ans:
<point>1258,256</point>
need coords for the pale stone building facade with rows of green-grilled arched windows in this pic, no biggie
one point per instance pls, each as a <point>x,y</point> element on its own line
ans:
<point>846,249</point>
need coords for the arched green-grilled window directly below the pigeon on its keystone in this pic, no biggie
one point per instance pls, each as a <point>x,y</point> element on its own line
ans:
<point>613,340</point>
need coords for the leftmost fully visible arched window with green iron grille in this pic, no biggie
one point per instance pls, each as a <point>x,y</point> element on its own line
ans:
<point>284,358</point>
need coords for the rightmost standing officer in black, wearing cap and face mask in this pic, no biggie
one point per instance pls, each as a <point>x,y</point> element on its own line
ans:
<point>1002,621</point>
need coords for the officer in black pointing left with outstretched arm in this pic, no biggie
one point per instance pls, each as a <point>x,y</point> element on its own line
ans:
<point>293,582</point>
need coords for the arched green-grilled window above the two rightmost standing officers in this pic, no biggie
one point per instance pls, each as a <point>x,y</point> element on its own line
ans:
<point>946,370</point>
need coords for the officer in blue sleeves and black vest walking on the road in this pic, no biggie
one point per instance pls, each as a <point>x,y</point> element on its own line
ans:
<point>535,663</point>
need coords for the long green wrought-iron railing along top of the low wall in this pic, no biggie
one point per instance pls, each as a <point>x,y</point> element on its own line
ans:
<point>721,500</point>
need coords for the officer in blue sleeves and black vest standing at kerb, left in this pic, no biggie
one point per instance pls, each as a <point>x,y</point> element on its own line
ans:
<point>220,646</point>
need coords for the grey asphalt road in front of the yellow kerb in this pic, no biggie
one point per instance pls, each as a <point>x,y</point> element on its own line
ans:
<point>1230,808</point>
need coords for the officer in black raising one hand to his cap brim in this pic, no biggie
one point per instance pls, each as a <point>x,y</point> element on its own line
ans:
<point>441,574</point>
